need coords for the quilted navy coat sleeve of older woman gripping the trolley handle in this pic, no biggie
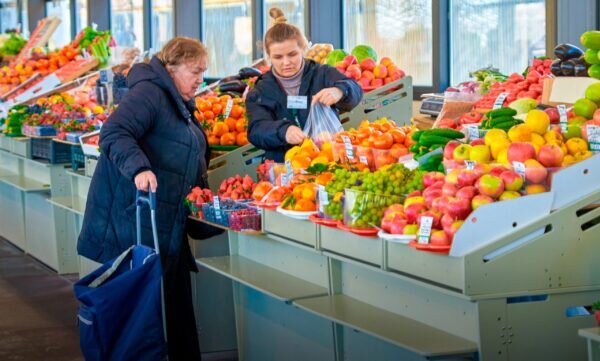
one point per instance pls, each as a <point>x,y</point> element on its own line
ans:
<point>126,126</point>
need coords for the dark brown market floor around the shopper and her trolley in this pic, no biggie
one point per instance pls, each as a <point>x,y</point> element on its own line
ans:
<point>37,311</point>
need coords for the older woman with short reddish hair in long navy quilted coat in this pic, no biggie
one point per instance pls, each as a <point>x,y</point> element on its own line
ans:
<point>152,142</point>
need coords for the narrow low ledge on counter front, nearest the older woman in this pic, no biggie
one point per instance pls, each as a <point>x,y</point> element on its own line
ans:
<point>277,284</point>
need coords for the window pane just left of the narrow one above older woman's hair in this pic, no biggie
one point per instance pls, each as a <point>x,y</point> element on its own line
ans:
<point>127,22</point>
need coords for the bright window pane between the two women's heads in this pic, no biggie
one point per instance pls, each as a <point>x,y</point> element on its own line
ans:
<point>227,35</point>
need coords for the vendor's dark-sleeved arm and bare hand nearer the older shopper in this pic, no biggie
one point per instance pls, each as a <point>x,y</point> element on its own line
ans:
<point>265,131</point>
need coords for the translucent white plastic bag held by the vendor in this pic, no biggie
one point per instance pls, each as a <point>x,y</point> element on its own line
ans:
<point>322,124</point>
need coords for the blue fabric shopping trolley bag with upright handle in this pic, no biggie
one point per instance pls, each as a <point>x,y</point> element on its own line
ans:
<point>121,312</point>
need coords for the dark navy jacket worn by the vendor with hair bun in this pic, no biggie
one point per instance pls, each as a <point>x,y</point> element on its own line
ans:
<point>267,108</point>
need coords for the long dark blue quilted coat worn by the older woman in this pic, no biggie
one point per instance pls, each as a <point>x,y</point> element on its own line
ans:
<point>152,129</point>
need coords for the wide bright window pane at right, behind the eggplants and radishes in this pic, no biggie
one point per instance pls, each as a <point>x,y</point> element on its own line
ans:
<point>505,34</point>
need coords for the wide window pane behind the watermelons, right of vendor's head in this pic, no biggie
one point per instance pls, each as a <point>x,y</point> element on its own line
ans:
<point>398,29</point>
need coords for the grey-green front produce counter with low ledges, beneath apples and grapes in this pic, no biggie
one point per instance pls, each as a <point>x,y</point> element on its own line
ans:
<point>504,292</point>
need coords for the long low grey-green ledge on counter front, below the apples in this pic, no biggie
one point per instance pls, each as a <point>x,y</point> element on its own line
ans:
<point>398,330</point>
